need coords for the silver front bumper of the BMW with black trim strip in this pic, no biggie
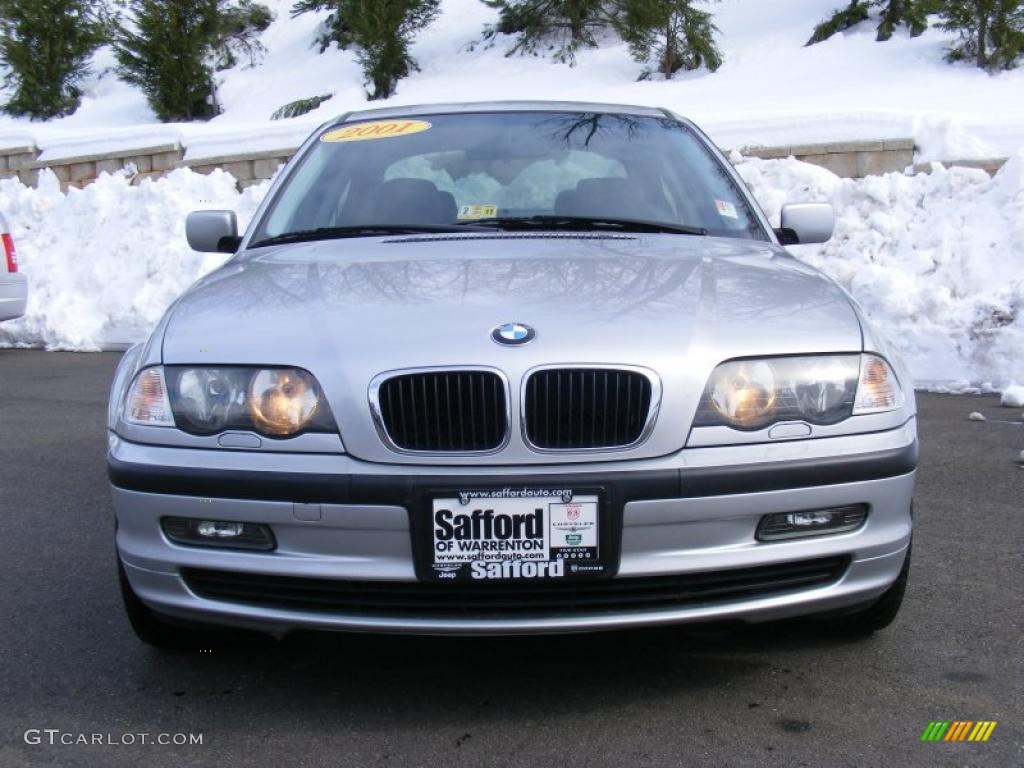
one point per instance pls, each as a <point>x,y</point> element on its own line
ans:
<point>689,515</point>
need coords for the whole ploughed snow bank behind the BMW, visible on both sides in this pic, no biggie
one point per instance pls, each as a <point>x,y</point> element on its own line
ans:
<point>935,260</point>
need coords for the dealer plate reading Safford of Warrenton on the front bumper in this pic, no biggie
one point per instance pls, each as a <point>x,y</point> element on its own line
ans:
<point>514,534</point>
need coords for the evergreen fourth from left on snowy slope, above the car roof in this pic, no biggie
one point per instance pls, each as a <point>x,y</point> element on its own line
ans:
<point>561,26</point>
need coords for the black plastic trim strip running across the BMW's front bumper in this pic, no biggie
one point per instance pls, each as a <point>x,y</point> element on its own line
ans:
<point>402,490</point>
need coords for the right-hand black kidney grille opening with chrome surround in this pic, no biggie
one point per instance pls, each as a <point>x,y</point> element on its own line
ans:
<point>582,408</point>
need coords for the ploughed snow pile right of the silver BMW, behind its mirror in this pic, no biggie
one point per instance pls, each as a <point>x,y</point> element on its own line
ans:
<point>934,260</point>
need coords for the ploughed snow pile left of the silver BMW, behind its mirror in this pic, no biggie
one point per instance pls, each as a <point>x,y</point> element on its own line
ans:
<point>106,262</point>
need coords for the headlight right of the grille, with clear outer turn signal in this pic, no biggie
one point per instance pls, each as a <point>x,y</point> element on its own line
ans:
<point>822,390</point>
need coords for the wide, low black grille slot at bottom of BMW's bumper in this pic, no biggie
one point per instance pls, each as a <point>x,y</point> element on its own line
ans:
<point>416,600</point>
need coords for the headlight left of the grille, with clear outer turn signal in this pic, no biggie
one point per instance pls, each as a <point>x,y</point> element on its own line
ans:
<point>277,403</point>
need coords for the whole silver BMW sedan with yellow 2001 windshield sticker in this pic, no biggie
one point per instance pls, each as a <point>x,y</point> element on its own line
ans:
<point>510,368</point>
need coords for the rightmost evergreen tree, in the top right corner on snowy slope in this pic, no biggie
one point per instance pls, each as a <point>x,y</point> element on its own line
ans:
<point>992,32</point>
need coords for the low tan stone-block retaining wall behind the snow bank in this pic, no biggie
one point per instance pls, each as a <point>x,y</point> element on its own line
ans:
<point>848,159</point>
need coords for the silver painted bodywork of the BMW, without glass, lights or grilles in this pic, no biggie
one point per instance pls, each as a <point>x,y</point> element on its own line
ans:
<point>349,311</point>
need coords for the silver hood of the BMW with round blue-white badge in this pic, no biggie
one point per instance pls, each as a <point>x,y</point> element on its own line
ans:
<point>350,310</point>
